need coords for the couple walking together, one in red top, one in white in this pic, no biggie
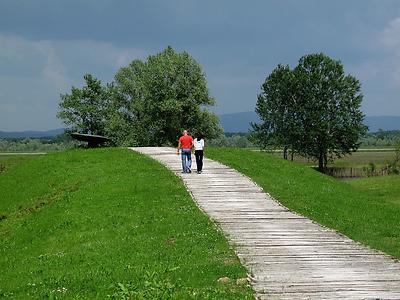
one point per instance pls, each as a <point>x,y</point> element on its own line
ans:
<point>186,143</point>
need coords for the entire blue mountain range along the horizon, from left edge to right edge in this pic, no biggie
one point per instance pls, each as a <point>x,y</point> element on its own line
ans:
<point>234,122</point>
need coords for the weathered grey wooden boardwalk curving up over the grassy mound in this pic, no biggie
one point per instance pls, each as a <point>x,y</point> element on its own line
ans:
<point>288,256</point>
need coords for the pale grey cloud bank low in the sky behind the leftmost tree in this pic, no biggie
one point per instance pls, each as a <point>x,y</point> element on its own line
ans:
<point>33,74</point>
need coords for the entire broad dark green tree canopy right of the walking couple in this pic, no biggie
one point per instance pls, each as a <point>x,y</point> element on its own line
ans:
<point>313,110</point>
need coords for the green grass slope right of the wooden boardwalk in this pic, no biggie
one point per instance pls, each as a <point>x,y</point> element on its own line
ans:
<point>367,210</point>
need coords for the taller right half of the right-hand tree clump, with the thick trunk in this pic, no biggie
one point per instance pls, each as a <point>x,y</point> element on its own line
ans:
<point>331,101</point>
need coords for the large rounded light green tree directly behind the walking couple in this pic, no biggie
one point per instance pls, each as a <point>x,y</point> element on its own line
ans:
<point>154,100</point>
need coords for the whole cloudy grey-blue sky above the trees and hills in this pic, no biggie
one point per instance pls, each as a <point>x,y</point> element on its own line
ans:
<point>46,46</point>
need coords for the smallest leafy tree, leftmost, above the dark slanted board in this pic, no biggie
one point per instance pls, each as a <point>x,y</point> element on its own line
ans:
<point>85,110</point>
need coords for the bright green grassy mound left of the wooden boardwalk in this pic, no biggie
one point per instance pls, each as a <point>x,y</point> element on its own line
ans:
<point>108,222</point>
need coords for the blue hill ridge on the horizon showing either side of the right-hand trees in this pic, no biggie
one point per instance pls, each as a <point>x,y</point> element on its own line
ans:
<point>240,122</point>
